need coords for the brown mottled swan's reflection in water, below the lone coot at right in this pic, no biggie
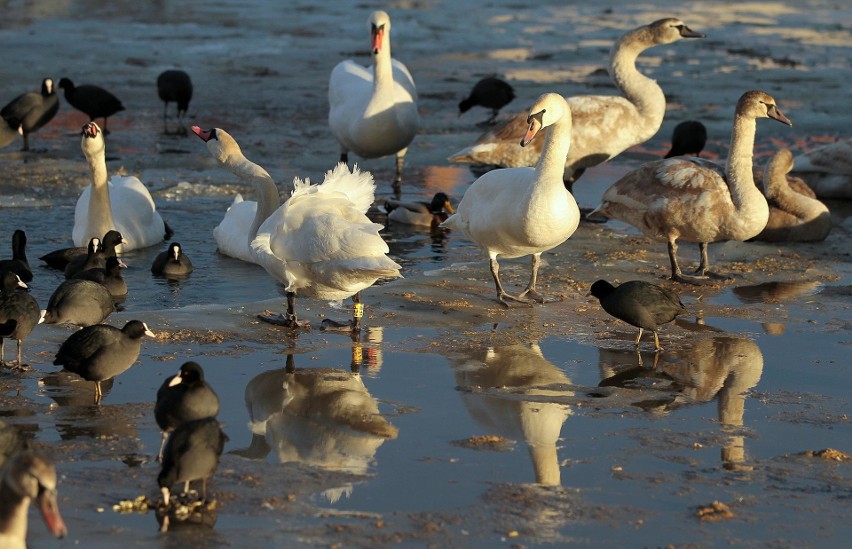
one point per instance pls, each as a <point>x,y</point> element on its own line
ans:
<point>724,367</point>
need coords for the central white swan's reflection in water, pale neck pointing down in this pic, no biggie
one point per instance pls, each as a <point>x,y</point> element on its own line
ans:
<point>510,391</point>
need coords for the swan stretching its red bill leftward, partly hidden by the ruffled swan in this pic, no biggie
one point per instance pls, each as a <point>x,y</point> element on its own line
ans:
<point>238,228</point>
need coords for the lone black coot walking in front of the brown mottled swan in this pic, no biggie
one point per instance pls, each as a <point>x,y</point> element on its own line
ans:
<point>639,304</point>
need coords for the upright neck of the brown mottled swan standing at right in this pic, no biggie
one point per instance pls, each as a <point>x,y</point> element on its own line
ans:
<point>745,195</point>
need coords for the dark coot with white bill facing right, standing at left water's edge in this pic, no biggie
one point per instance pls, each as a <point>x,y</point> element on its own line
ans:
<point>100,352</point>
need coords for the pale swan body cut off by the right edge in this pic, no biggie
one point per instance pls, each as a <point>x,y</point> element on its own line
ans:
<point>828,169</point>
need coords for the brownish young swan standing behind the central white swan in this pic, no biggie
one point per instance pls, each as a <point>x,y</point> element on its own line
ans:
<point>604,125</point>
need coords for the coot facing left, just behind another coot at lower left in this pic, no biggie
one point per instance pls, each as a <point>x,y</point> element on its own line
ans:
<point>184,397</point>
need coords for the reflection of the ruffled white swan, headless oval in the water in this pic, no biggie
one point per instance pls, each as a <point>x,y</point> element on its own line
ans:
<point>321,417</point>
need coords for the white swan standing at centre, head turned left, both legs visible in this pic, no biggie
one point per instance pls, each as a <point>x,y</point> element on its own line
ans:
<point>521,211</point>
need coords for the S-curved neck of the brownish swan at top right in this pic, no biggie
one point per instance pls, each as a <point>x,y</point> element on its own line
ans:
<point>643,92</point>
